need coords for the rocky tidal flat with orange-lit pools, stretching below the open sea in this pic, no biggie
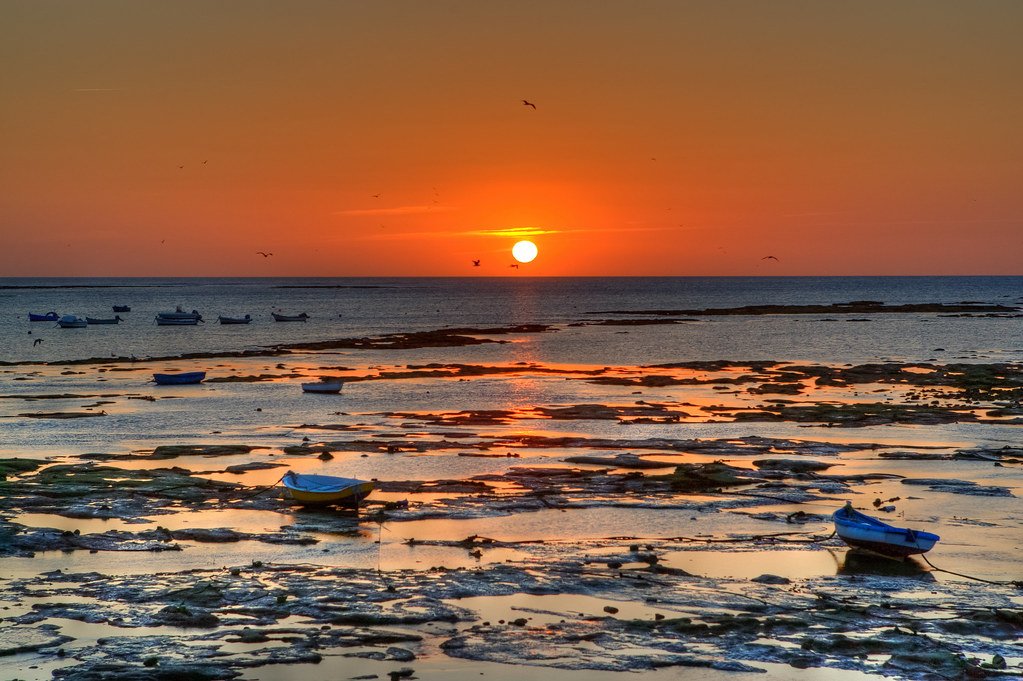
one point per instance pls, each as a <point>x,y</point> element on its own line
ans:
<point>535,518</point>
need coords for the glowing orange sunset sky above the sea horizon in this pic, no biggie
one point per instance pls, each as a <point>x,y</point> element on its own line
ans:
<point>353,139</point>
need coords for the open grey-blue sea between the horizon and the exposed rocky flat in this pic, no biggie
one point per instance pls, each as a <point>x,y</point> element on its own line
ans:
<point>345,308</point>
